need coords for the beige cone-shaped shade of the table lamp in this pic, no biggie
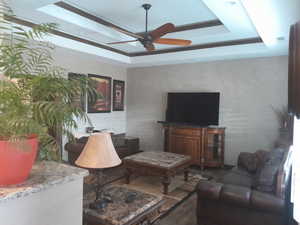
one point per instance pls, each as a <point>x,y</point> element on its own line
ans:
<point>99,152</point>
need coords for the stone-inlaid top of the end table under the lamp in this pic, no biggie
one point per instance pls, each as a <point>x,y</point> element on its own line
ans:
<point>120,211</point>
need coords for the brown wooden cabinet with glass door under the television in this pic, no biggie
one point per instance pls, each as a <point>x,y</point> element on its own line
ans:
<point>204,144</point>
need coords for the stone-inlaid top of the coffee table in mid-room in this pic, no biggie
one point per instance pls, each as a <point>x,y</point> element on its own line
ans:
<point>161,159</point>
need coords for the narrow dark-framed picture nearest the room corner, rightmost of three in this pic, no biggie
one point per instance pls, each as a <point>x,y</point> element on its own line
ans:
<point>118,95</point>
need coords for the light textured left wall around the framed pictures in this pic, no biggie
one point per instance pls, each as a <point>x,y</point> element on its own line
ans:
<point>79,62</point>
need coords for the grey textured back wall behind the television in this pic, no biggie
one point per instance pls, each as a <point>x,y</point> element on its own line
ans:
<point>249,88</point>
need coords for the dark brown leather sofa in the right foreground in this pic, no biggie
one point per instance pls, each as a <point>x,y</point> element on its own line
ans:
<point>255,193</point>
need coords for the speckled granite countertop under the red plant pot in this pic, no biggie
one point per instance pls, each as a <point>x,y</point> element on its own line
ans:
<point>44,175</point>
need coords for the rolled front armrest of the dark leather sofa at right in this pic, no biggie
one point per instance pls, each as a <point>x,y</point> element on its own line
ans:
<point>241,196</point>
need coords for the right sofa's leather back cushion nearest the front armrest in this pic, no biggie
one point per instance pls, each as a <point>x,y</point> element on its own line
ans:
<point>265,179</point>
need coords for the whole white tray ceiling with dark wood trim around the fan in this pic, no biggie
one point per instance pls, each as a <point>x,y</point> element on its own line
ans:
<point>232,25</point>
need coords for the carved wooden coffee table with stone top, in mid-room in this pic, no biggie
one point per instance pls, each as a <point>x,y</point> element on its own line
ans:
<point>163,164</point>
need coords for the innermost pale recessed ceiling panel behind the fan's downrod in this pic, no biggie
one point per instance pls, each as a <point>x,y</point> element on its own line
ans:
<point>129,13</point>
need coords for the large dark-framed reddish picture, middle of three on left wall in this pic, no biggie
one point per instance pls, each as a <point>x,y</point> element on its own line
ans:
<point>103,86</point>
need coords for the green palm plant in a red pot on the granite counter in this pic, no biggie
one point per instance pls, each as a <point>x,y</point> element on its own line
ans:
<point>36,100</point>
